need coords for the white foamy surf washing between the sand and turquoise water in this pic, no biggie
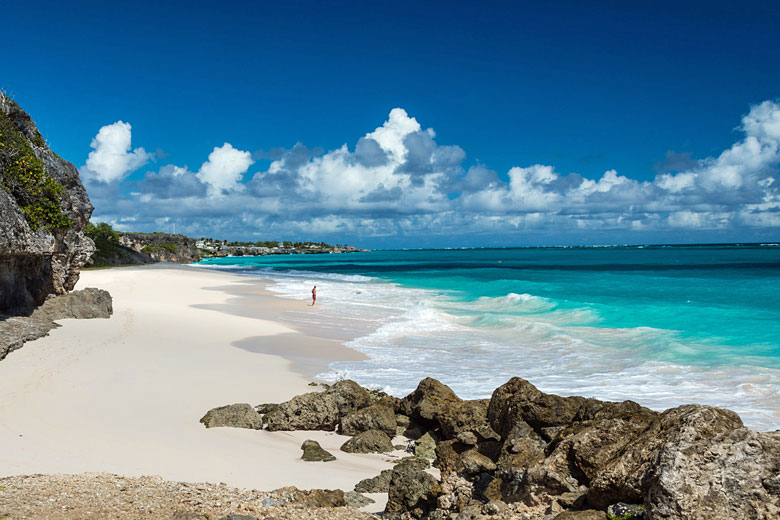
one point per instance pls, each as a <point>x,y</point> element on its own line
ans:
<point>476,346</point>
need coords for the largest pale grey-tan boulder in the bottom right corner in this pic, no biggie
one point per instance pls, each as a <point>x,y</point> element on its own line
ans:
<point>731,474</point>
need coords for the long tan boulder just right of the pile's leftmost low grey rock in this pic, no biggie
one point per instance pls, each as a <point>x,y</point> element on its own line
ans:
<point>319,410</point>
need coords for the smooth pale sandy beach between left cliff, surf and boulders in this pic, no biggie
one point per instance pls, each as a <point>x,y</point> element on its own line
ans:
<point>124,395</point>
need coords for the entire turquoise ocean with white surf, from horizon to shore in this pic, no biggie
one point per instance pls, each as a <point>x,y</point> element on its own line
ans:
<point>660,325</point>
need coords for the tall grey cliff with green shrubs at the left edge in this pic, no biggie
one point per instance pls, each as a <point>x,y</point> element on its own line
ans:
<point>43,211</point>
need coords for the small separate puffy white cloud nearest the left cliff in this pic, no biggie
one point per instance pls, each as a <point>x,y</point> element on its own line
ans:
<point>111,159</point>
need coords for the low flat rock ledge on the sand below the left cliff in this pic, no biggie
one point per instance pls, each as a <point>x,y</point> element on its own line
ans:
<point>87,303</point>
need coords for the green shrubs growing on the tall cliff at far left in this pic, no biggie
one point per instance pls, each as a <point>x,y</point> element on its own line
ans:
<point>21,174</point>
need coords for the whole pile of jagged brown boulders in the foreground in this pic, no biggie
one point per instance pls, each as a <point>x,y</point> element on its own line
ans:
<point>525,454</point>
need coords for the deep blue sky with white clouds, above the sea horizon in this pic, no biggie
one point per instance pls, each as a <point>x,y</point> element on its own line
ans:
<point>412,124</point>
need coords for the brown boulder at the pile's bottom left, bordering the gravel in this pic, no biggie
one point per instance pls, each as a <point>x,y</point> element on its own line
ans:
<point>411,490</point>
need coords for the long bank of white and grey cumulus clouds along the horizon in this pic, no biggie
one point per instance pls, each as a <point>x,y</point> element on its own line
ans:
<point>398,181</point>
